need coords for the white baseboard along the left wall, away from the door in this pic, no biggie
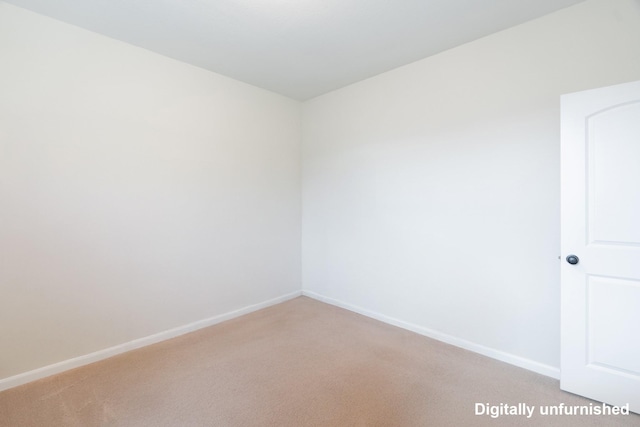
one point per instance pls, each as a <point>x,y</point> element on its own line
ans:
<point>86,359</point>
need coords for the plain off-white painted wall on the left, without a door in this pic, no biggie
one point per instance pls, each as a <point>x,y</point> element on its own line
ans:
<point>137,193</point>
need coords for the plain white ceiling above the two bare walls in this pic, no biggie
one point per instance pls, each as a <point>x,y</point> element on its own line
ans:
<point>299,48</point>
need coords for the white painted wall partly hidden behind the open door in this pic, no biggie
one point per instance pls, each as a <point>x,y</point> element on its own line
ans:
<point>431,192</point>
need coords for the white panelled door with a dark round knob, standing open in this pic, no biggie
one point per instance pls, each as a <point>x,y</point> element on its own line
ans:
<point>600,222</point>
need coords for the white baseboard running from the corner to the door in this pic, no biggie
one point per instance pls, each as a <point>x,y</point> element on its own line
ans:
<point>521,362</point>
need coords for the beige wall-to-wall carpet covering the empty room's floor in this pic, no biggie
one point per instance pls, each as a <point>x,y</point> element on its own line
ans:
<point>300,363</point>
